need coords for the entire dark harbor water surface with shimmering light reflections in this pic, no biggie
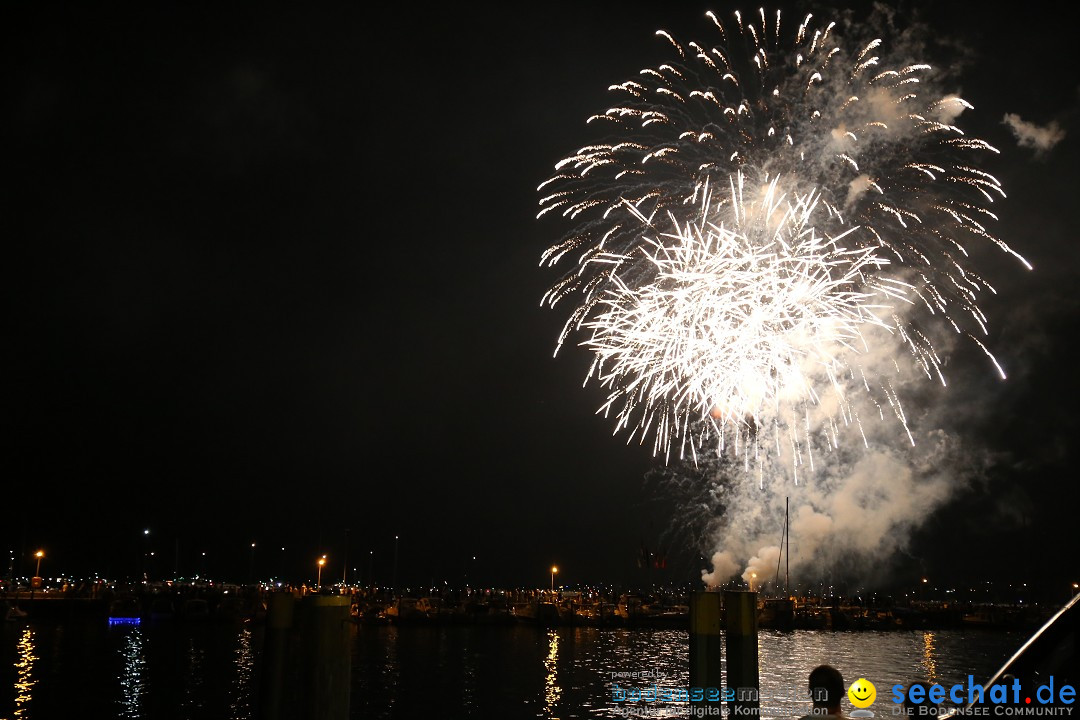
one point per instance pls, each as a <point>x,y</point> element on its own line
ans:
<point>210,671</point>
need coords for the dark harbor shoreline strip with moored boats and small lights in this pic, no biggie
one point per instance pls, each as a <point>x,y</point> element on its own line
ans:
<point>658,607</point>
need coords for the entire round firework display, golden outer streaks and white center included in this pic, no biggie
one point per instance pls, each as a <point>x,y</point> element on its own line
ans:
<point>849,201</point>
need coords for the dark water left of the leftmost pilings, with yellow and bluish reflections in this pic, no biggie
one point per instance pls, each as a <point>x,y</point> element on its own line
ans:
<point>129,671</point>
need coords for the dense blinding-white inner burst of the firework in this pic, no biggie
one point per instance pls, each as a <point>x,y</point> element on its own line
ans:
<point>736,321</point>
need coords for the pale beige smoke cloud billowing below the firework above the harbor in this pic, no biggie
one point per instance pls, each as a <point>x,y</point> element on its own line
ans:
<point>861,502</point>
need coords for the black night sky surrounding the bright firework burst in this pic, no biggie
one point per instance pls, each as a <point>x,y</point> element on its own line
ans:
<point>274,277</point>
